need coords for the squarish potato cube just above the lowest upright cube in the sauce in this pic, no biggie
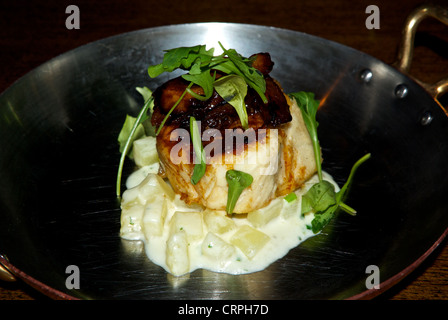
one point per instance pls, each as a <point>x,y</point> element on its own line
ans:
<point>190,222</point>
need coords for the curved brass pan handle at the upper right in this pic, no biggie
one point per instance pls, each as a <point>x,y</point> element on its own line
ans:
<point>407,44</point>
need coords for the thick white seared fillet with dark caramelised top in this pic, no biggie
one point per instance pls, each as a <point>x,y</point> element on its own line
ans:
<point>276,150</point>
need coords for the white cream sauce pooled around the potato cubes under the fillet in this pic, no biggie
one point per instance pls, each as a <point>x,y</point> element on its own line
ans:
<point>285,231</point>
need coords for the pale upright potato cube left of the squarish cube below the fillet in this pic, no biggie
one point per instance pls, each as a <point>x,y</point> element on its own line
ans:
<point>154,217</point>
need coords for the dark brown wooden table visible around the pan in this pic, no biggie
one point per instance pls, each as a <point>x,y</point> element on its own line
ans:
<point>32,32</point>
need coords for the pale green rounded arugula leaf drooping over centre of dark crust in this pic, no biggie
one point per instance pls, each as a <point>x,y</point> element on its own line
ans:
<point>233,89</point>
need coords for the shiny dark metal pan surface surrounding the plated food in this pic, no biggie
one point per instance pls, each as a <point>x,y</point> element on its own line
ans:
<point>59,156</point>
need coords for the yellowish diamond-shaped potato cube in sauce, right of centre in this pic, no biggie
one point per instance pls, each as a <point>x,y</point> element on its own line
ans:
<point>249,240</point>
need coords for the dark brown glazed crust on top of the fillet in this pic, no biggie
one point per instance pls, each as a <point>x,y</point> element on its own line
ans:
<point>215,112</point>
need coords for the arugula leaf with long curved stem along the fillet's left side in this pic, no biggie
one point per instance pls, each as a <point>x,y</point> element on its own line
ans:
<point>127,137</point>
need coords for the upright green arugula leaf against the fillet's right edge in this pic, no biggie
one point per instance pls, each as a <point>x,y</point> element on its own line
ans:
<point>308,106</point>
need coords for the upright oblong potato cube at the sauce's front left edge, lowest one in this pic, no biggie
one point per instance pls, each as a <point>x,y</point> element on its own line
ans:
<point>177,257</point>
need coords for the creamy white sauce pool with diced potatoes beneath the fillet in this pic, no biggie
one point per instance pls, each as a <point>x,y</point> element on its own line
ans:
<point>280,234</point>
